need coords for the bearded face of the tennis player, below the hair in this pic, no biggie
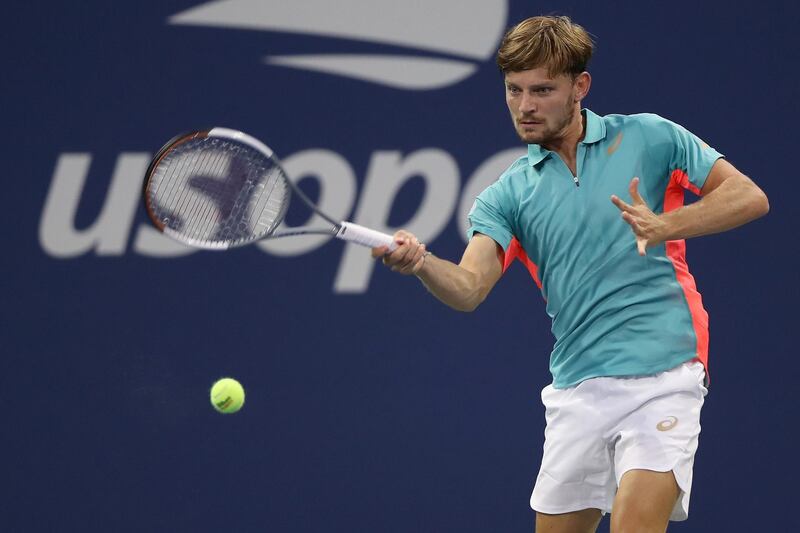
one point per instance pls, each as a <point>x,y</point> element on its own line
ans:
<point>541,107</point>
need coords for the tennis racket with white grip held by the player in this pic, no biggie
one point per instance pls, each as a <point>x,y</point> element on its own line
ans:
<point>221,188</point>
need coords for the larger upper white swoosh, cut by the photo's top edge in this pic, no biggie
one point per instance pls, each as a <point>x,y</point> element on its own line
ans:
<point>467,29</point>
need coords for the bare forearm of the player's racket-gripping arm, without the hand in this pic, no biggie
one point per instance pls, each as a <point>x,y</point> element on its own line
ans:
<point>452,284</point>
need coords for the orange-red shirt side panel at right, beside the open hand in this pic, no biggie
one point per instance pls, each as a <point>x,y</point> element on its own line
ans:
<point>676,252</point>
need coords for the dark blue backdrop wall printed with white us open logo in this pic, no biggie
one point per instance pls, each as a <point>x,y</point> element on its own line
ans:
<point>371,407</point>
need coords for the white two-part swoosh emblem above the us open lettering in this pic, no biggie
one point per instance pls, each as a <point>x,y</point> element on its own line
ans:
<point>444,41</point>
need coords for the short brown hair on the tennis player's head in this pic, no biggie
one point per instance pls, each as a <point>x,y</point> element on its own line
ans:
<point>549,41</point>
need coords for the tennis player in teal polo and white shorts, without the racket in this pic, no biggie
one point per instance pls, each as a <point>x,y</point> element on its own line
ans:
<point>595,211</point>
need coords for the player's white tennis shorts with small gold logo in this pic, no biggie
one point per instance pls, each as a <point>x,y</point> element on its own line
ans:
<point>603,427</point>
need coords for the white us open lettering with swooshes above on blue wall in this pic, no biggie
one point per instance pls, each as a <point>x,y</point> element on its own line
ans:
<point>462,38</point>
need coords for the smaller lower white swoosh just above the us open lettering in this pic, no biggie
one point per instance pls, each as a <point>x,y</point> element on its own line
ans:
<point>401,72</point>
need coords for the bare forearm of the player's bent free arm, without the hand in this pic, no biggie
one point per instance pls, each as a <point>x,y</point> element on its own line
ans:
<point>733,203</point>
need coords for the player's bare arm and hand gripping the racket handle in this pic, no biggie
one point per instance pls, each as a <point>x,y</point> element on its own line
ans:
<point>463,286</point>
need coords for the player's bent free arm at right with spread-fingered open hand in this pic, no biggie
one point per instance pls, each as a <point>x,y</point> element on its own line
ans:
<point>728,199</point>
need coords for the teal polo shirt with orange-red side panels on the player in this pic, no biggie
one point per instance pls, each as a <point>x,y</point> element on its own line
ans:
<point>614,312</point>
